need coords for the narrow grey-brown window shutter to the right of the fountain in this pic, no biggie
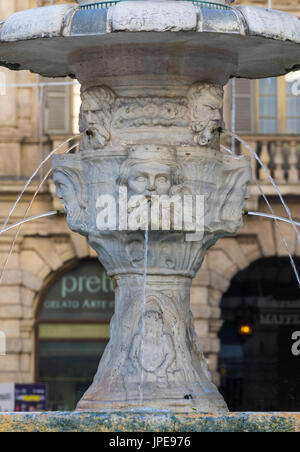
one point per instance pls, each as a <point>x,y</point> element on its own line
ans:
<point>244,106</point>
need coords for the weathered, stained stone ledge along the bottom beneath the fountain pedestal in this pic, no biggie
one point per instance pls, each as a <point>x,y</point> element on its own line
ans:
<point>149,421</point>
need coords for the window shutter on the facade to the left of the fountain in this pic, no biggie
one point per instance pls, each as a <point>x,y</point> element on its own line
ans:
<point>57,107</point>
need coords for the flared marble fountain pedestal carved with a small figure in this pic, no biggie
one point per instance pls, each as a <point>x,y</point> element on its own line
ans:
<point>154,358</point>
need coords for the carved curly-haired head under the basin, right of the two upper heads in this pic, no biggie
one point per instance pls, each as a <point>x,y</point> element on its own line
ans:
<point>206,103</point>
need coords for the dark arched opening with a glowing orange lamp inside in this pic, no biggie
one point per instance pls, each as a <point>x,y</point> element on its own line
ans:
<point>258,361</point>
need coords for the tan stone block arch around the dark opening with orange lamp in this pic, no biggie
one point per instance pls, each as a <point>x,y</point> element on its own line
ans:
<point>259,238</point>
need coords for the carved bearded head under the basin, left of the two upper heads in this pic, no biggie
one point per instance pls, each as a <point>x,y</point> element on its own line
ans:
<point>96,116</point>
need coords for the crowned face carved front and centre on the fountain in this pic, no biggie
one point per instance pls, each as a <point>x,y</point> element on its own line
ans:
<point>151,178</point>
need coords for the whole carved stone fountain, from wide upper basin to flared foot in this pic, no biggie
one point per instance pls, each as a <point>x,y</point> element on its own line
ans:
<point>152,76</point>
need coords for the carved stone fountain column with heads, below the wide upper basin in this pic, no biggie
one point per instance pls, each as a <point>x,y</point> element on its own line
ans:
<point>152,135</point>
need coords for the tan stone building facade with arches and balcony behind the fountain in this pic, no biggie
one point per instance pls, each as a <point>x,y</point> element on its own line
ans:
<point>55,300</point>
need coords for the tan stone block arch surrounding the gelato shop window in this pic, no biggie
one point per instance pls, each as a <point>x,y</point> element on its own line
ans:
<point>33,262</point>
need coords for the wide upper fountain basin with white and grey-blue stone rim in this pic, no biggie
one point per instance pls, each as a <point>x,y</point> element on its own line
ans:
<point>265,42</point>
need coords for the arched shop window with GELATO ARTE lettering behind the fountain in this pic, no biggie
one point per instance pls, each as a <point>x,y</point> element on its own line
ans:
<point>72,330</point>
